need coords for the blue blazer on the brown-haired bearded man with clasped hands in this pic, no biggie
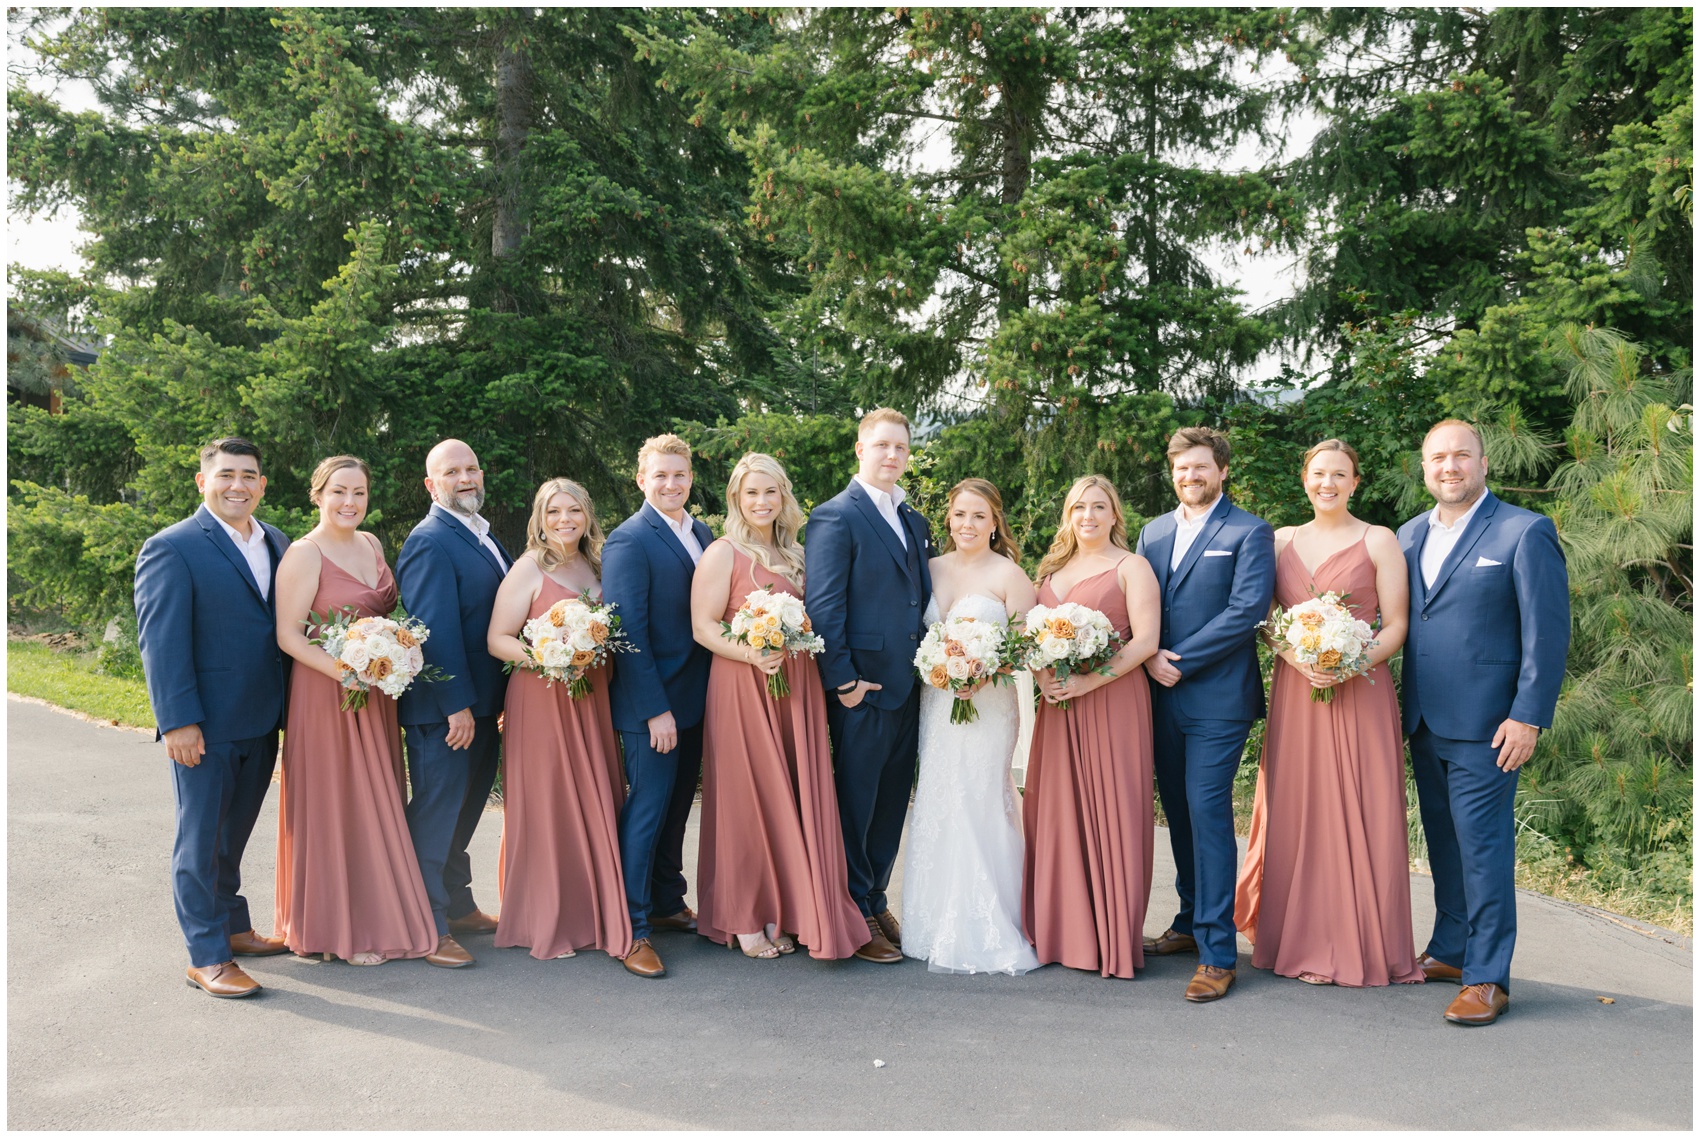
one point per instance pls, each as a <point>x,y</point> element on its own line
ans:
<point>1213,605</point>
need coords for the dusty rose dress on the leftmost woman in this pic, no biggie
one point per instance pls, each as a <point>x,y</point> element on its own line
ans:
<point>348,880</point>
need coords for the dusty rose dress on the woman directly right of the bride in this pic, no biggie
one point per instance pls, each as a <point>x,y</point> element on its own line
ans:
<point>1087,814</point>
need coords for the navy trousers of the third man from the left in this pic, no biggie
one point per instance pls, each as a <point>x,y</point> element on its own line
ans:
<point>652,824</point>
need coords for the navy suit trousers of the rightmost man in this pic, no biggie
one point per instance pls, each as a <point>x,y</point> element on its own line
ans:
<point>1466,804</point>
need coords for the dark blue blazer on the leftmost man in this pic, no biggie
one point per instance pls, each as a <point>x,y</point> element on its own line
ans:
<point>208,637</point>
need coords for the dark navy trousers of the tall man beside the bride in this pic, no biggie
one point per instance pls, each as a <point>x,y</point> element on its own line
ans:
<point>875,773</point>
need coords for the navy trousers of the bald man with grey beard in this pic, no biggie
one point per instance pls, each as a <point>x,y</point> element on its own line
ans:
<point>448,795</point>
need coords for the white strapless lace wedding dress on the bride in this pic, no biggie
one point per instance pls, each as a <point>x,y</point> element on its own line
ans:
<point>963,872</point>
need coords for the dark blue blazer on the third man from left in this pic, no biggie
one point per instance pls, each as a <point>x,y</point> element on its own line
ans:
<point>647,572</point>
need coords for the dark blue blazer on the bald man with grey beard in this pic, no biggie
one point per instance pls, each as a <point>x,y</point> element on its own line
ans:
<point>450,581</point>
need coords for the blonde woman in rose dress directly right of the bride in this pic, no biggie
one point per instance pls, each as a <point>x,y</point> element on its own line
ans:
<point>1087,812</point>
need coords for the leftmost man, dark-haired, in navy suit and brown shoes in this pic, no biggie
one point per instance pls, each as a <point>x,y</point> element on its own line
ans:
<point>217,678</point>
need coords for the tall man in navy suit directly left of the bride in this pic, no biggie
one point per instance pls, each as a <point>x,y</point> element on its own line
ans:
<point>870,584</point>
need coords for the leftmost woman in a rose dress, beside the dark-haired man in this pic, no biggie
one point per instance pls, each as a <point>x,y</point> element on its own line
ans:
<point>348,880</point>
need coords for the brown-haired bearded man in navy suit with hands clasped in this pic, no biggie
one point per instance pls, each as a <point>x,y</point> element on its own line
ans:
<point>1216,567</point>
